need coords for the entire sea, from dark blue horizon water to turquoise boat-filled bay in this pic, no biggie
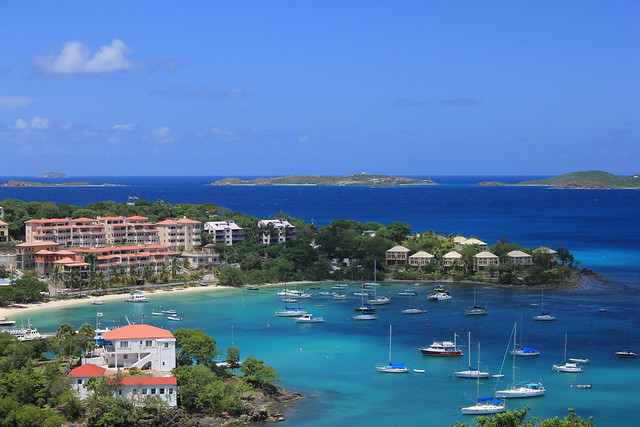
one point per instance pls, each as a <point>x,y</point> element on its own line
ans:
<point>332,363</point>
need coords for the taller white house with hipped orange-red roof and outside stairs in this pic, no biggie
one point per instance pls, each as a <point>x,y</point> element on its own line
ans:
<point>144,347</point>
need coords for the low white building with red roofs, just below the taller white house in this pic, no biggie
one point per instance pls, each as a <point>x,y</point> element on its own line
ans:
<point>134,389</point>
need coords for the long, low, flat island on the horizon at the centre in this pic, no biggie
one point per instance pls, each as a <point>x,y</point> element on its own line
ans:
<point>345,180</point>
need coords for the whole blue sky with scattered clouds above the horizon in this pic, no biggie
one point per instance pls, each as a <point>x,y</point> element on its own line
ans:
<point>270,88</point>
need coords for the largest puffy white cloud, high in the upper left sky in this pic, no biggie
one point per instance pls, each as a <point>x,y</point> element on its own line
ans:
<point>75,58</point>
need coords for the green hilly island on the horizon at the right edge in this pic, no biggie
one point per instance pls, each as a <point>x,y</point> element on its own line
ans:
<point>581,180</point>
